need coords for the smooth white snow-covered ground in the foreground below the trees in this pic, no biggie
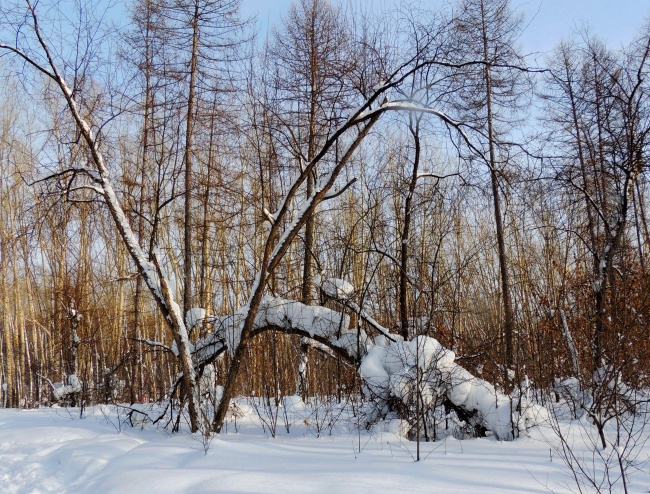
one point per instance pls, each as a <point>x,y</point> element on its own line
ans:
<point>52,450</point>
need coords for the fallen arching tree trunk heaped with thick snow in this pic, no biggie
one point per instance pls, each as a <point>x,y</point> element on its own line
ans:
<point>395,373</point>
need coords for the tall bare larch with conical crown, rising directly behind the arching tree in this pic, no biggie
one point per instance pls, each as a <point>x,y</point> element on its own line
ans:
<point>312,50</point>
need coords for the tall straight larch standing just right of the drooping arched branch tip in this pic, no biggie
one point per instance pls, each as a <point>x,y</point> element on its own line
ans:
<point>489,98</point>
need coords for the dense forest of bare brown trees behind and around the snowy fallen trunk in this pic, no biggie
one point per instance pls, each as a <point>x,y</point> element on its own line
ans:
<point>165,172</point>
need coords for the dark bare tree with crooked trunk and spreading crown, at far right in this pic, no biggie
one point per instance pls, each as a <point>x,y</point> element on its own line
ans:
<point>599,109</point>
